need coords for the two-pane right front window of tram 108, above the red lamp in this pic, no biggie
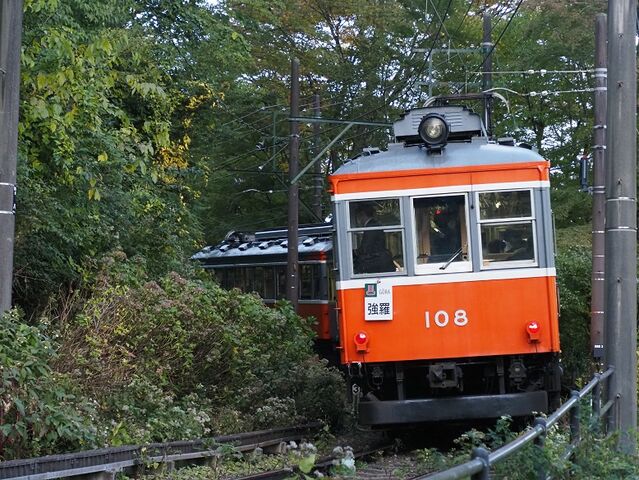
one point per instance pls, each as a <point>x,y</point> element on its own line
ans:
<point>507,228</point>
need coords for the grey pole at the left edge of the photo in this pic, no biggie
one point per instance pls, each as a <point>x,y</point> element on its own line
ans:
<point>10,41</point>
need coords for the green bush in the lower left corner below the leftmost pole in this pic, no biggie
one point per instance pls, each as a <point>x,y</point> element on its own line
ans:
<point>39,411</point>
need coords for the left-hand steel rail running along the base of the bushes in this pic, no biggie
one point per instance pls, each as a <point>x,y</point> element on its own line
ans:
<point>106,462</point>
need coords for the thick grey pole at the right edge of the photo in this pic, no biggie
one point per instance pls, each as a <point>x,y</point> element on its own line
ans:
<point>621,223</point>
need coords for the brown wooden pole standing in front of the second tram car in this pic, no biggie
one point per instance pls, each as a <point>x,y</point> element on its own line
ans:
<point>293,190</point>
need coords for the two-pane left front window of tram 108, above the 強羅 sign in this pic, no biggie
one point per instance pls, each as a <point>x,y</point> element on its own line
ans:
<point>376,233</point>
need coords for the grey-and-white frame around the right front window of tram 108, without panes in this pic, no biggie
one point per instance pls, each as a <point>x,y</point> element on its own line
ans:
<point>532,220</point>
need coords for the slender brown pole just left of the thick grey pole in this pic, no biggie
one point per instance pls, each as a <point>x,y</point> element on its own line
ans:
<point>599,190</point>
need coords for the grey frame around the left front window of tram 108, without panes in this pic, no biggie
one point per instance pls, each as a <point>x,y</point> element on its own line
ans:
<point>350,230</point>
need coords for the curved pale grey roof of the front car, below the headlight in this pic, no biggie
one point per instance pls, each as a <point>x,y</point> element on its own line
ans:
<point>463,154</point>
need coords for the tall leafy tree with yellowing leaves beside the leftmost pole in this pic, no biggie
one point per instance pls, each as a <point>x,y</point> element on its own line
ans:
<point>104,147</point>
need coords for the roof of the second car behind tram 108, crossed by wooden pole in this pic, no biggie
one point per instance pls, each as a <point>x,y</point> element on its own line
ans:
<point>266,243</point>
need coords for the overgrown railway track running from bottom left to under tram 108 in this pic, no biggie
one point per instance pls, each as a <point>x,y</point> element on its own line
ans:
<point>377,458</point>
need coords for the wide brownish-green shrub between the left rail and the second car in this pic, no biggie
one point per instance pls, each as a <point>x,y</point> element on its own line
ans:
<point>182,357</point>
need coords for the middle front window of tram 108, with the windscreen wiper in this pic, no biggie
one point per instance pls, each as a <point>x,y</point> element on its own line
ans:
<point>442,234</point>
